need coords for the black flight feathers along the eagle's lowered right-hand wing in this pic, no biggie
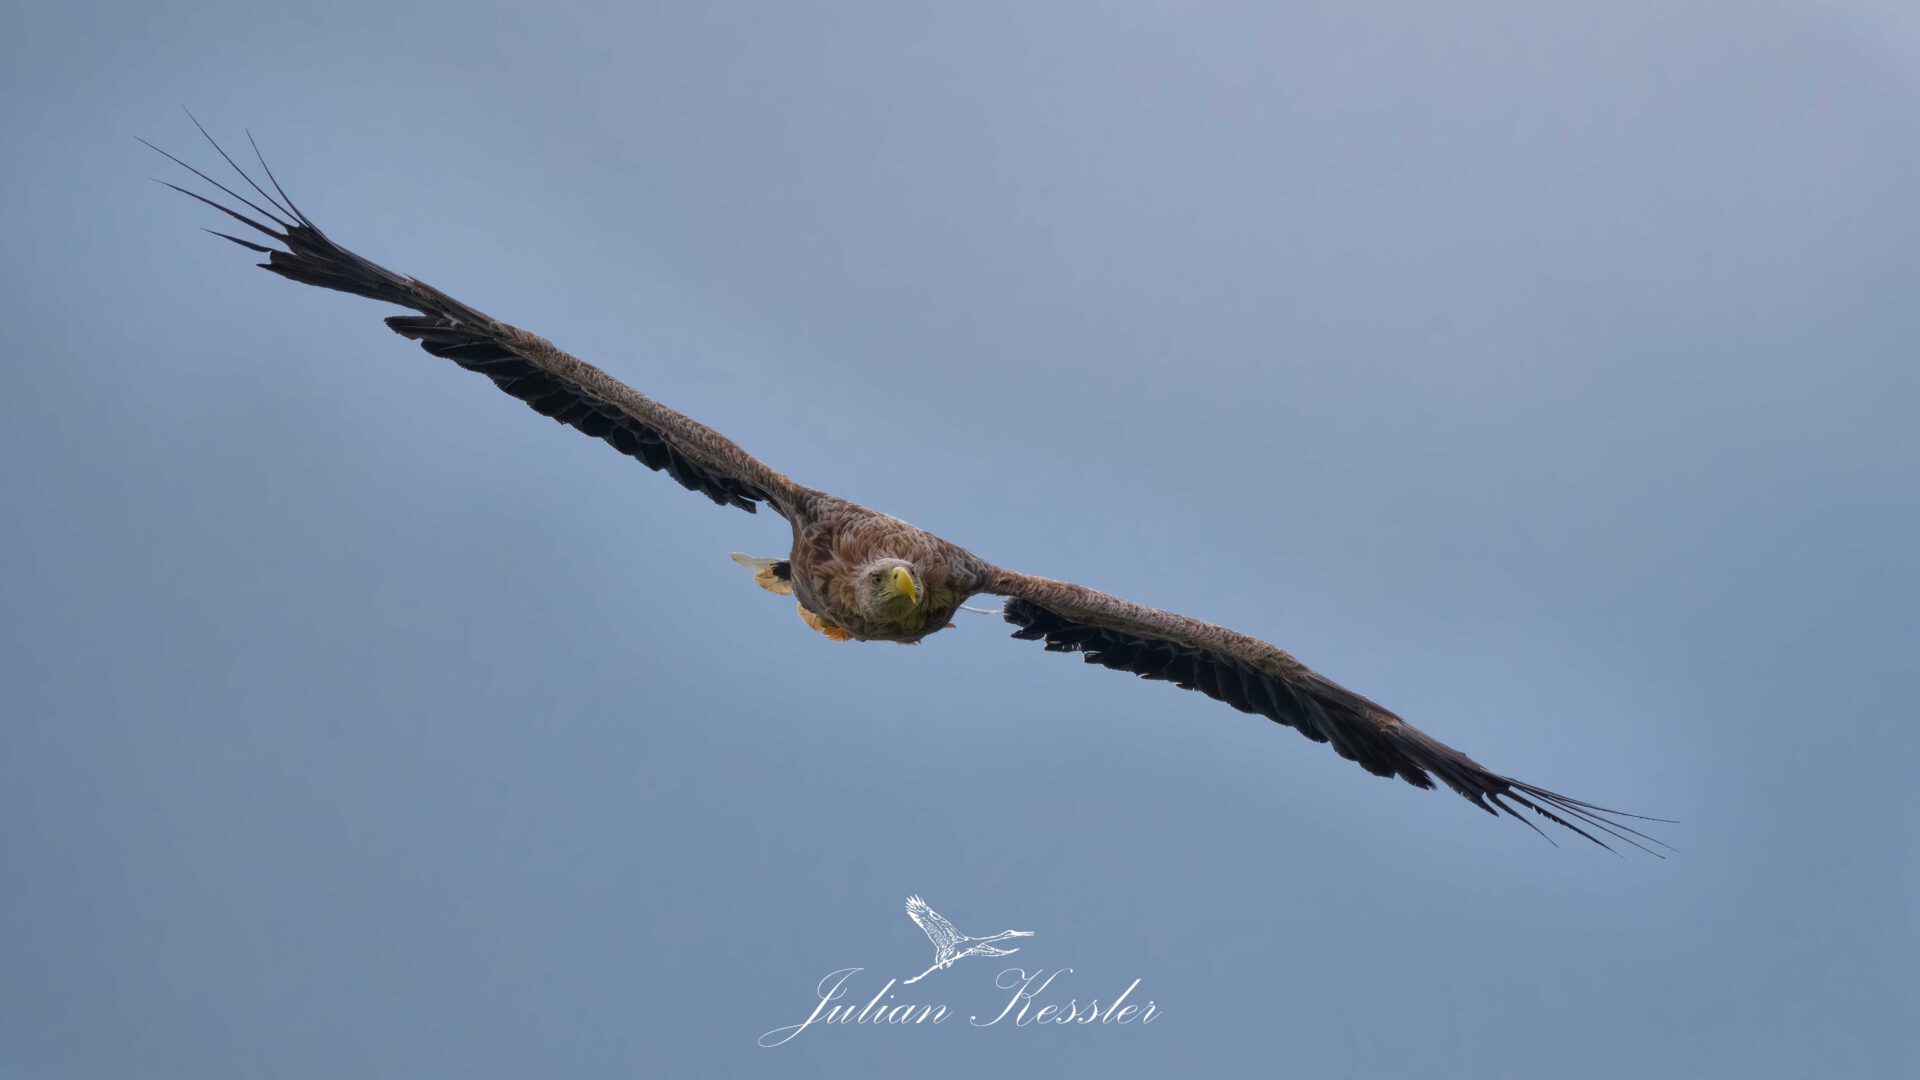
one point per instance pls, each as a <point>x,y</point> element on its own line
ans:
<point>1324,712</point>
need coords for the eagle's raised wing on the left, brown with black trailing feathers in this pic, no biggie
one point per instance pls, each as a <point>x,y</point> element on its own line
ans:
<point>521,364</point>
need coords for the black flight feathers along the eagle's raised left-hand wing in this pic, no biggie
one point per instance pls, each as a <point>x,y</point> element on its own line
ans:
<point>450,330</point>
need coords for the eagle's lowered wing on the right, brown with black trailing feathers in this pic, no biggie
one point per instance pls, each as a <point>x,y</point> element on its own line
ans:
<point>1255,677</point>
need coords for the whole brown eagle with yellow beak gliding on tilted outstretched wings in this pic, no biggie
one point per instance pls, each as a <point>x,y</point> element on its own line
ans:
<point>863,576</point>
